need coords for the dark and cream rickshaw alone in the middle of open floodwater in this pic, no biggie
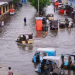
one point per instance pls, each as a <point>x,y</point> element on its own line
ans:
<point>25,39</point>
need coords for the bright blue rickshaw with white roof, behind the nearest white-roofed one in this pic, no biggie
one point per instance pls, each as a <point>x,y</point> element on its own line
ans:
<point>43,52</point>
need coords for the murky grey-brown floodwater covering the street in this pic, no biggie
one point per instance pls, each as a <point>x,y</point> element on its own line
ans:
<point>20,57</point>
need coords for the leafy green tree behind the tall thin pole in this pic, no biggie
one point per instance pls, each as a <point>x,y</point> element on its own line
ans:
<point>42,4</point>
